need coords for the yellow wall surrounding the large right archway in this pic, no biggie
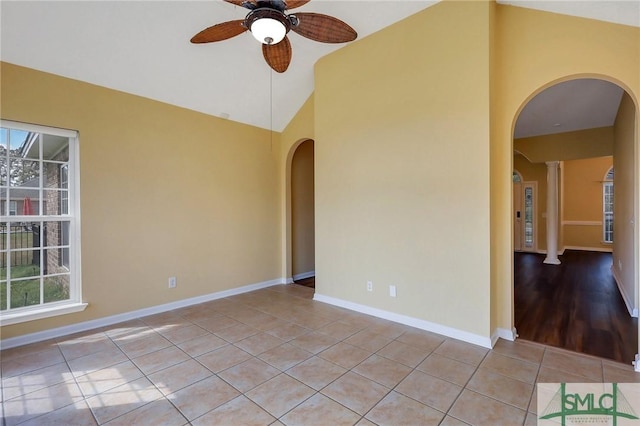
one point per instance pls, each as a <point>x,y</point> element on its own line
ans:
<point>536,50</point>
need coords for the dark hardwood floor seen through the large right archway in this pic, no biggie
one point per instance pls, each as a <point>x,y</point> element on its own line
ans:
<point>575,305</point>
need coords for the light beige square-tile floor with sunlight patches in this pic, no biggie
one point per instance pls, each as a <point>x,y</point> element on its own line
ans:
<point>275,356</point>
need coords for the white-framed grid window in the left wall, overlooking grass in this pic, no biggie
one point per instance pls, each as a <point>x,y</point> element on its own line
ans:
<point>39,224</point>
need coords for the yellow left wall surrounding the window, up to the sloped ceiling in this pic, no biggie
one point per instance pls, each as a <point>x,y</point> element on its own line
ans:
<point>164,192</point>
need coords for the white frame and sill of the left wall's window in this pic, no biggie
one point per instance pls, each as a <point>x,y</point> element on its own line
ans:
<point>75,302</point>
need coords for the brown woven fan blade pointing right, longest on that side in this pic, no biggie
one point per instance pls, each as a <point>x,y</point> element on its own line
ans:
<point>323,28</point>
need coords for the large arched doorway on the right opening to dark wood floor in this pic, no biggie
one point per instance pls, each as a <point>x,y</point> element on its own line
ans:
<point>570,134</point>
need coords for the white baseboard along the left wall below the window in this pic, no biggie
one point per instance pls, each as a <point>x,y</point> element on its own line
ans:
<point>114,319</point>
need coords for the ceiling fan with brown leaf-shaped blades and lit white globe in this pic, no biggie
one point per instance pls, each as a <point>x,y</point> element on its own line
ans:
<point>269,23</point>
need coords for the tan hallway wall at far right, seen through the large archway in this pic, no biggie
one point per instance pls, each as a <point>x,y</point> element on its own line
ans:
<point>625,250</point>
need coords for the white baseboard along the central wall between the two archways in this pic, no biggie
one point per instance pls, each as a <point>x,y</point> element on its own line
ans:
<point>406,320</point>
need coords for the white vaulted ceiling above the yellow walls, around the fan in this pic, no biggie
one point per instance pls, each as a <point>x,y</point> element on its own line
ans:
<point>143,48</point>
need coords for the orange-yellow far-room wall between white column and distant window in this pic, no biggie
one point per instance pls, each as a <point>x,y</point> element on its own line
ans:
<point>582,202</point>
